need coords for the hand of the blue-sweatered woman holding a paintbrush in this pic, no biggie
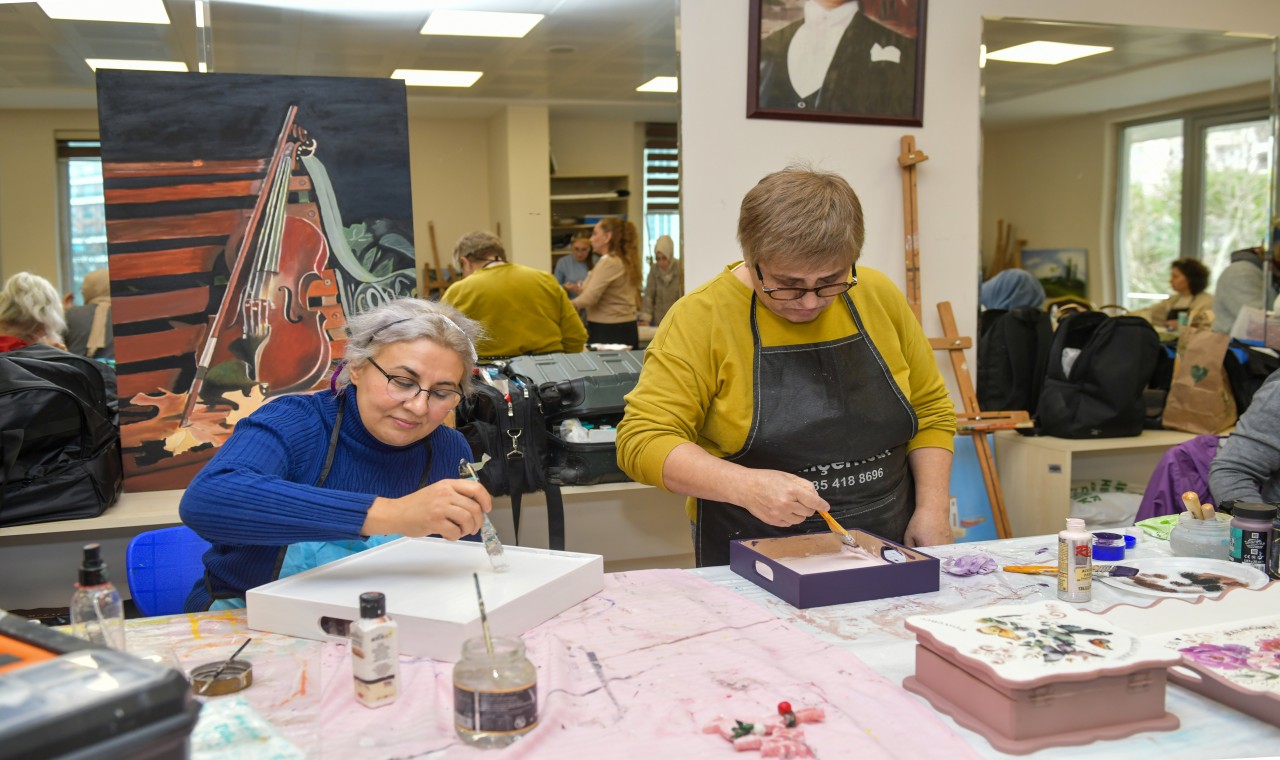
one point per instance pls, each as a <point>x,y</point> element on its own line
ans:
<point>450,509</point>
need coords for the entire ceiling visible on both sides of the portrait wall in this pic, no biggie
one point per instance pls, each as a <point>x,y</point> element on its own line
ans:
<point>584,59</point>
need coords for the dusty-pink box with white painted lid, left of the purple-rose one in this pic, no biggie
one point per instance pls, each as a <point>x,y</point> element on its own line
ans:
<point>1041,675</point>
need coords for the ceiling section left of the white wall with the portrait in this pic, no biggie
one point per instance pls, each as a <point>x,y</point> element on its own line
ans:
<point>587,57</point>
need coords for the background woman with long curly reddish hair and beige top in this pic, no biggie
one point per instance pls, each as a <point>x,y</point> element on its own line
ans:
<point>611,295</point>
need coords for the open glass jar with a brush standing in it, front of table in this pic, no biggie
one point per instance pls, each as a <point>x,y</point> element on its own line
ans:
<point>495,693</point>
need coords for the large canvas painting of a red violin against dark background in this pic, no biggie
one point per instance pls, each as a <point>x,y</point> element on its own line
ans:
<point>246,218</point>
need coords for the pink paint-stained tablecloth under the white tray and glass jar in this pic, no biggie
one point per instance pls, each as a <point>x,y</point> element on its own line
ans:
<point>633,672</point>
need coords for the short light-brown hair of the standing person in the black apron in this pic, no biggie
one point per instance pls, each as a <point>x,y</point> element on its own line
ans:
<point>802,217</point>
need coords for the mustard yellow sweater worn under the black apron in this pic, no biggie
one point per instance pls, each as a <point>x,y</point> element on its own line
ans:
<point>698,387</point>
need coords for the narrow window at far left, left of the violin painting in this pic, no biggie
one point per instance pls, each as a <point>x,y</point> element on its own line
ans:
<point>83,240</point>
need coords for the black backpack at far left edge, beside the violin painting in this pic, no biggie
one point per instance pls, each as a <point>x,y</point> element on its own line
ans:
<point>60,438</point>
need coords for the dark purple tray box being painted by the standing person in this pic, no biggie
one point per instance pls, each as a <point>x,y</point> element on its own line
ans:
<point>770,564</point>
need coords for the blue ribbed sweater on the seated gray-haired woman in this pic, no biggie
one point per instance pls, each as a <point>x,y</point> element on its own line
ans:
<point>258,495</point>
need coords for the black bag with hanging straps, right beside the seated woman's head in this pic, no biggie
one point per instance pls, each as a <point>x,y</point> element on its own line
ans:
<point>513,431</point>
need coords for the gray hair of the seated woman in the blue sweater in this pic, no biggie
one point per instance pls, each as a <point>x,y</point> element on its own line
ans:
<point>410,319</point>
